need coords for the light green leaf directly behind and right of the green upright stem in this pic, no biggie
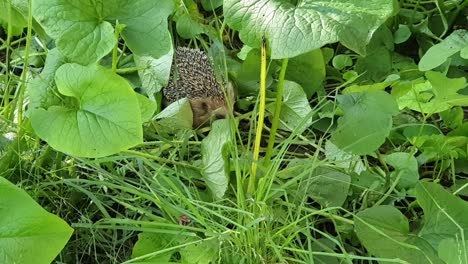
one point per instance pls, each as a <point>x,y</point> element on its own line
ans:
<point>295,108</point>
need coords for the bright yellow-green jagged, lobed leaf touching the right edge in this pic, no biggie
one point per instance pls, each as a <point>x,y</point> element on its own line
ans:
<point>437,94</point>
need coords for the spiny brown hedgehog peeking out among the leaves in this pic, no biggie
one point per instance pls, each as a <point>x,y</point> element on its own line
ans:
<point>192,76</point>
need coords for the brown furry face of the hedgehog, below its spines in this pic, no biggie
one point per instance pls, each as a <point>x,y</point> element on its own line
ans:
<point>207,109</point>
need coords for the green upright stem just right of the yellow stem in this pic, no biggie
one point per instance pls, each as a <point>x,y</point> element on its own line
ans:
<point>275,123</point>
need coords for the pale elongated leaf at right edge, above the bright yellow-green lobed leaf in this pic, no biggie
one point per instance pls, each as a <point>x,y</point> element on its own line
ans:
<point>439,53</point>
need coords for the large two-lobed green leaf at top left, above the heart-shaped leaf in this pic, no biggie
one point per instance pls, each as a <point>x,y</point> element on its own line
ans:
<point>84,33</point>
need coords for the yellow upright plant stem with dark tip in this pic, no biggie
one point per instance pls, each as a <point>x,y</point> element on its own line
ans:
<point>261,116</point>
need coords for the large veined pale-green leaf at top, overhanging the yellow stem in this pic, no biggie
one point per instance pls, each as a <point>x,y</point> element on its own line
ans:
<point>296,29</point>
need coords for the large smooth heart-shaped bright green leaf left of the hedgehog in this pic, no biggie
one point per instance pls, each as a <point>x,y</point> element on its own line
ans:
<point>101,115</point>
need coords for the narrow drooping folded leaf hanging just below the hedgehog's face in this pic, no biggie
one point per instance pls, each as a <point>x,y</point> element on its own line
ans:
<point>213,149</point>
